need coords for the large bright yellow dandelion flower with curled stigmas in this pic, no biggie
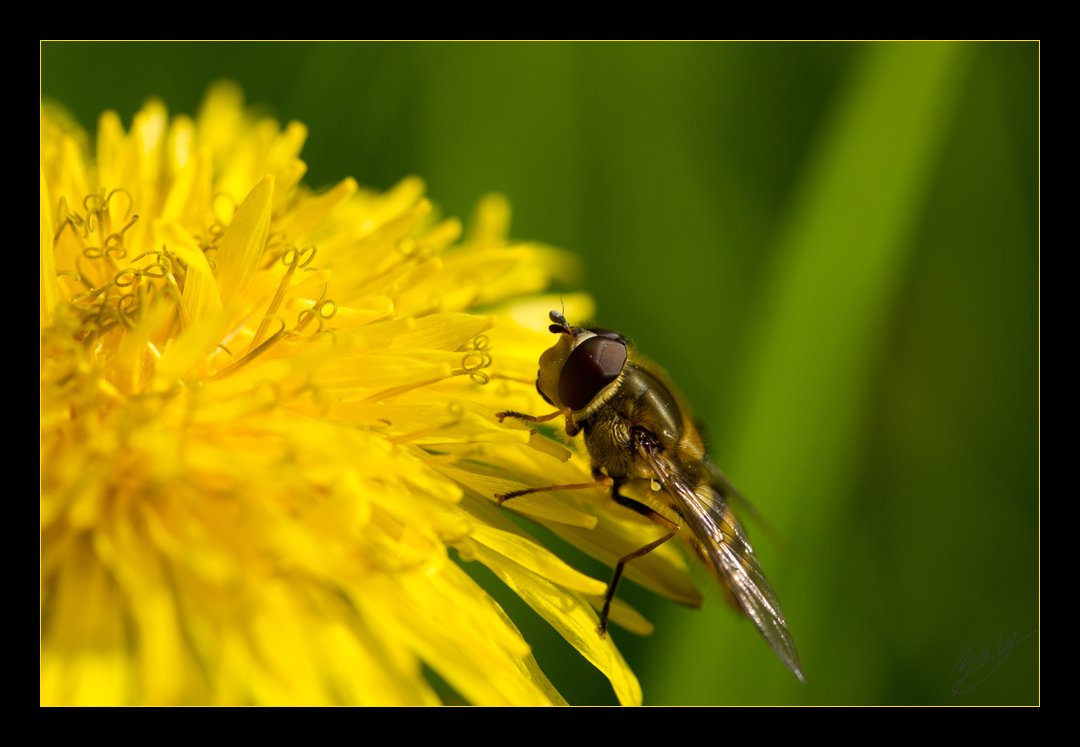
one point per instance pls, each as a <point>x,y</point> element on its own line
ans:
<point>266,416</point>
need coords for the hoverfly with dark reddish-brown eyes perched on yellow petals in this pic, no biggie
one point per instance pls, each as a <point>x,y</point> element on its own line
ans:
<point>639,432</point>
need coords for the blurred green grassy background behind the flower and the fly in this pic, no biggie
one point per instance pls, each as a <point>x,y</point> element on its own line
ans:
<point>833,249</point>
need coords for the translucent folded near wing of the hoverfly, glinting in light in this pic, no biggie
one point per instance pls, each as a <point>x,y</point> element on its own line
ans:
<point>717,528</point>
